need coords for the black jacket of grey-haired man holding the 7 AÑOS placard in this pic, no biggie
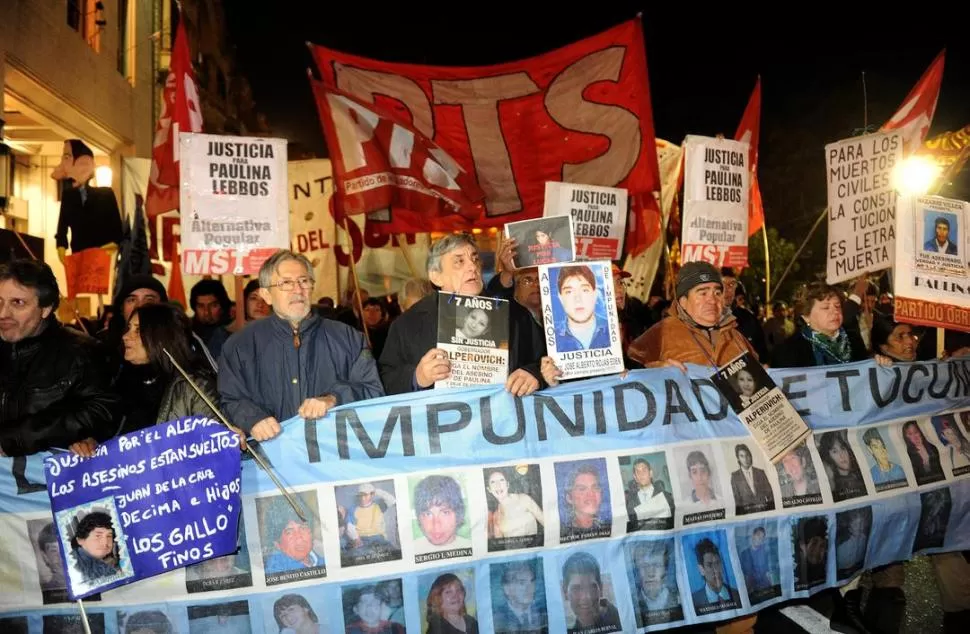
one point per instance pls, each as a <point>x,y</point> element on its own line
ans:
<point>416,331</point>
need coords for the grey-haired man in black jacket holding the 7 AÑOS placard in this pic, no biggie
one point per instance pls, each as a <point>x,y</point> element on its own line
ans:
<point>411,360</point>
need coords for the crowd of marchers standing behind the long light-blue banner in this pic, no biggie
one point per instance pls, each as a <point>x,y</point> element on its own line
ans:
<point>61,389</point>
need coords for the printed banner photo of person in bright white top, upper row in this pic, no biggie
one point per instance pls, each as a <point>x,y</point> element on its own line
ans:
<point>515,518</point>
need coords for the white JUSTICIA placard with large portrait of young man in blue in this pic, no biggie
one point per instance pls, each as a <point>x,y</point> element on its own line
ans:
<point>579,313</point>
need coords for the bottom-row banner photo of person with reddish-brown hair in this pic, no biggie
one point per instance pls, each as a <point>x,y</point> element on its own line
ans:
<point>449,606</point>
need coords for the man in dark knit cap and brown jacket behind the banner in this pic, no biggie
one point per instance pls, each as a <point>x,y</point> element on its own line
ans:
<point>702,330</point>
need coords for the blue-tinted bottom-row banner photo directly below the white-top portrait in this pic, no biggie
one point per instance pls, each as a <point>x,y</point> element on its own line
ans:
<point>518,597</point>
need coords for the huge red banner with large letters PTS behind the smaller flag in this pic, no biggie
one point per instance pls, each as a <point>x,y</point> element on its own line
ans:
<point>580,114</point>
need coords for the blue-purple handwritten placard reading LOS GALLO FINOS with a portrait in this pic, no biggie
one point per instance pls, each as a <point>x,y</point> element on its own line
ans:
<point>148,502</point>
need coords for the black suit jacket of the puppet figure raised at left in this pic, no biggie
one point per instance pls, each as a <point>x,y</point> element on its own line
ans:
<point>94,223</point>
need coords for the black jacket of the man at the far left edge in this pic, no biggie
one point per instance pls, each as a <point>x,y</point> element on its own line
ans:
<point>54,391</point>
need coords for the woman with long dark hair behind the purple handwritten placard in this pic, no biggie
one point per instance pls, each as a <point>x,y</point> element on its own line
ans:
<point>152,390</point>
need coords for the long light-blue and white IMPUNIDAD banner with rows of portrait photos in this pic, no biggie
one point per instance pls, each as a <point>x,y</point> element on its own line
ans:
<point>411,497</point>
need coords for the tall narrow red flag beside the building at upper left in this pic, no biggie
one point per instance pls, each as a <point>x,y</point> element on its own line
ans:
<point>181,112</point>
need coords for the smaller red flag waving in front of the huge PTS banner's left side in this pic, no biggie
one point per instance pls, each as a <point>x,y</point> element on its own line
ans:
<point>380,162</point>
